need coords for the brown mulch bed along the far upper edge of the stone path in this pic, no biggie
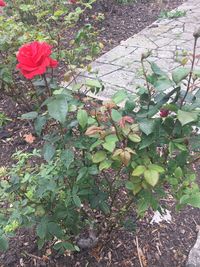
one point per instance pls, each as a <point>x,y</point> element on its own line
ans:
<point>122,21</point>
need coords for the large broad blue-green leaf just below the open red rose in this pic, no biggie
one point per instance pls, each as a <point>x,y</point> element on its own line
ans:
<point>58,108</point>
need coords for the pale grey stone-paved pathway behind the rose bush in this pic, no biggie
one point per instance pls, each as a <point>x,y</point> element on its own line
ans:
<point>168,39</point>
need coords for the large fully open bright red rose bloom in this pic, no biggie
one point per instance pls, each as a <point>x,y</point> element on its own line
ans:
<point>34,59</point>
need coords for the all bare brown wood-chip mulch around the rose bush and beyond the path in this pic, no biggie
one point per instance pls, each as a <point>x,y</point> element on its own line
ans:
<point>152,245</point>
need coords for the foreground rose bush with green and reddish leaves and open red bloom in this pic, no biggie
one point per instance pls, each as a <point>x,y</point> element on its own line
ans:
<point>105,160</point>
